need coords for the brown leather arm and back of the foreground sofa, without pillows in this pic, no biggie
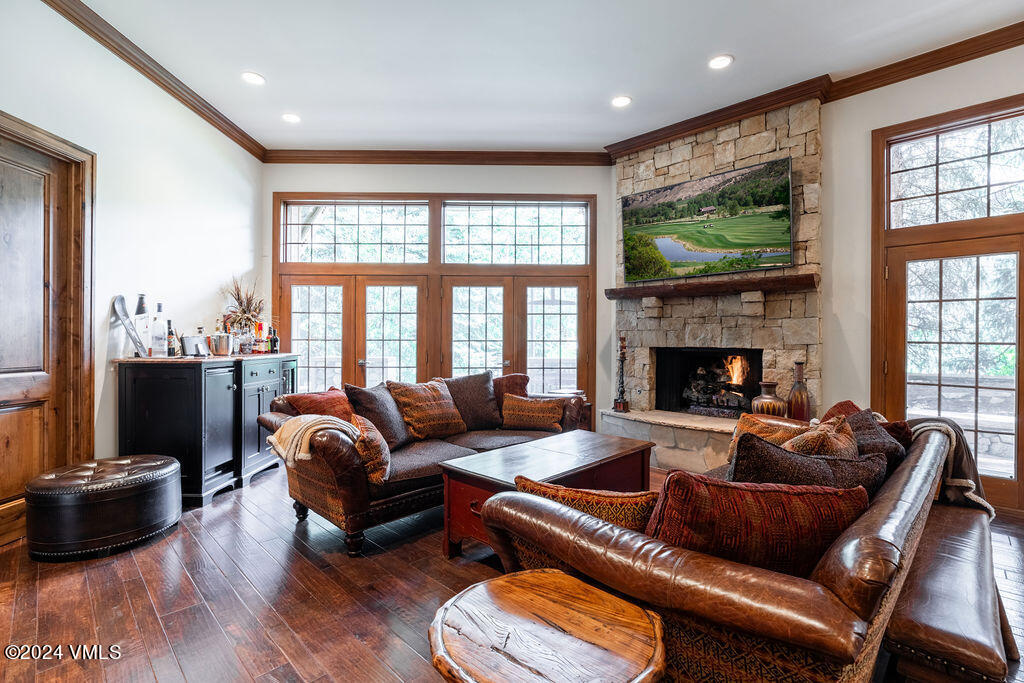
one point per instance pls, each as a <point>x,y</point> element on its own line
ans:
<point>730,622</point>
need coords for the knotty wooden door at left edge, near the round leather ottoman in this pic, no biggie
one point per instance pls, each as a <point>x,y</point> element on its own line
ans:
<point>35,397</point>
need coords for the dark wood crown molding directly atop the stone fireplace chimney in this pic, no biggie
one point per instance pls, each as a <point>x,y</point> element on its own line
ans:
<point>815,89</point>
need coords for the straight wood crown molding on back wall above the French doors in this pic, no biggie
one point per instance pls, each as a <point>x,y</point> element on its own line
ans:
<point>438,157</point>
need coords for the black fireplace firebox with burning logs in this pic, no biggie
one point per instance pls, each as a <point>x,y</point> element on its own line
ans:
<point>717,382</point>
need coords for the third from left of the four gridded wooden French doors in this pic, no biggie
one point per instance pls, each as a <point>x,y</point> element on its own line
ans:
<point>478,325</point>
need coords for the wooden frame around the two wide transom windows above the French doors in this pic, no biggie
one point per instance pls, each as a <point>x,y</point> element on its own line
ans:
<point>435,270</point>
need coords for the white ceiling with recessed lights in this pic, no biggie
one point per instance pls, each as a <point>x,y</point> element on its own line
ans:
<point>524,75</point>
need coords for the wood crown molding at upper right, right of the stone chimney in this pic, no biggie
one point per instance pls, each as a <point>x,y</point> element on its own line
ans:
<point>950,56</point>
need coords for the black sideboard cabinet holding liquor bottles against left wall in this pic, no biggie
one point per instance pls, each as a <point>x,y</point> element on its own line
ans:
<point>202,412</point>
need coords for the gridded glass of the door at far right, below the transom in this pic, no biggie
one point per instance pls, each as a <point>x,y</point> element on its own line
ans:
<point>962,351</point>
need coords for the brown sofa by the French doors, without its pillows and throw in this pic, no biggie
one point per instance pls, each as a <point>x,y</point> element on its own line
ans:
<point>334,485</point>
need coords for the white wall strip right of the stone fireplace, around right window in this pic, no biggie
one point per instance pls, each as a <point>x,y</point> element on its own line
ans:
<point>847,126</point>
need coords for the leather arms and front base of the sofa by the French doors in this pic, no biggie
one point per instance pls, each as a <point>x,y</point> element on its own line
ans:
<point>333,483</point>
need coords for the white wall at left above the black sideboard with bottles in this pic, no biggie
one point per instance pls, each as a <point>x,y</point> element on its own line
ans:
<point>178,203</point>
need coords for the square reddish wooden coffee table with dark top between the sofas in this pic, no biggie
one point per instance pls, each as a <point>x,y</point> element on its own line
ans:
<point>580,459</point>
